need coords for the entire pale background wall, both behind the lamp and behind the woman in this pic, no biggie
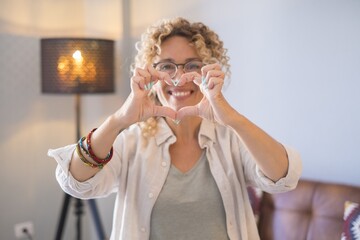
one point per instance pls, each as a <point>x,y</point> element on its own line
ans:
<point>295,72</point>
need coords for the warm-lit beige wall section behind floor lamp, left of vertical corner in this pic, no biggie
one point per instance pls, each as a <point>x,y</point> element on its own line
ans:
<point>32,122</point>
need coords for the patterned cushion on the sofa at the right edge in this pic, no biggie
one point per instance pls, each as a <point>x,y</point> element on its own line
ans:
<point>351,228</point>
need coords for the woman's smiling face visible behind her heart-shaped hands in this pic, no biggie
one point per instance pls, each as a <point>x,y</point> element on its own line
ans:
<point>178,50</point>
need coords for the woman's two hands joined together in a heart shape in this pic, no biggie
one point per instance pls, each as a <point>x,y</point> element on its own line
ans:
<point>139,106</point>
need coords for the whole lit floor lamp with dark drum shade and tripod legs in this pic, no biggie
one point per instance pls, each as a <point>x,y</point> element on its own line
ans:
<point>77,66</point>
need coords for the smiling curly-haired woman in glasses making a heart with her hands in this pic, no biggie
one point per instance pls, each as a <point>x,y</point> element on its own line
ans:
<point>178,156</point>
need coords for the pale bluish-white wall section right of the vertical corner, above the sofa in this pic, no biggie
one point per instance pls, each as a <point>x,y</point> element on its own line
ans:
<point>295,72</point>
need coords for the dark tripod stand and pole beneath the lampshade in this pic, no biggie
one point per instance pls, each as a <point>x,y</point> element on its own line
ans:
<point>79,203</point>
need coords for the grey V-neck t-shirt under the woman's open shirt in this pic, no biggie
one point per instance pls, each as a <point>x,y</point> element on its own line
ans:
<point>189,206</point>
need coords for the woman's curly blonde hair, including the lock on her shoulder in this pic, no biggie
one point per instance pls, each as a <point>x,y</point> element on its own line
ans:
<point>206,42</point>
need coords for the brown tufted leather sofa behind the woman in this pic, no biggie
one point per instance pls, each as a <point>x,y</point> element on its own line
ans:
<point>313,211</point>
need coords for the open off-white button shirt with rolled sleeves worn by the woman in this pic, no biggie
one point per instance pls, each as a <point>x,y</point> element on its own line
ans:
<point>139,169</point>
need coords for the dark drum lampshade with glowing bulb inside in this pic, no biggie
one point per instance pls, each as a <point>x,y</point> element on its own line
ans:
<point>77,65</point>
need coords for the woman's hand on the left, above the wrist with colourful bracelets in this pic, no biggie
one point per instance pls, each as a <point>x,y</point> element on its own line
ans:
<point>139,106</point>
